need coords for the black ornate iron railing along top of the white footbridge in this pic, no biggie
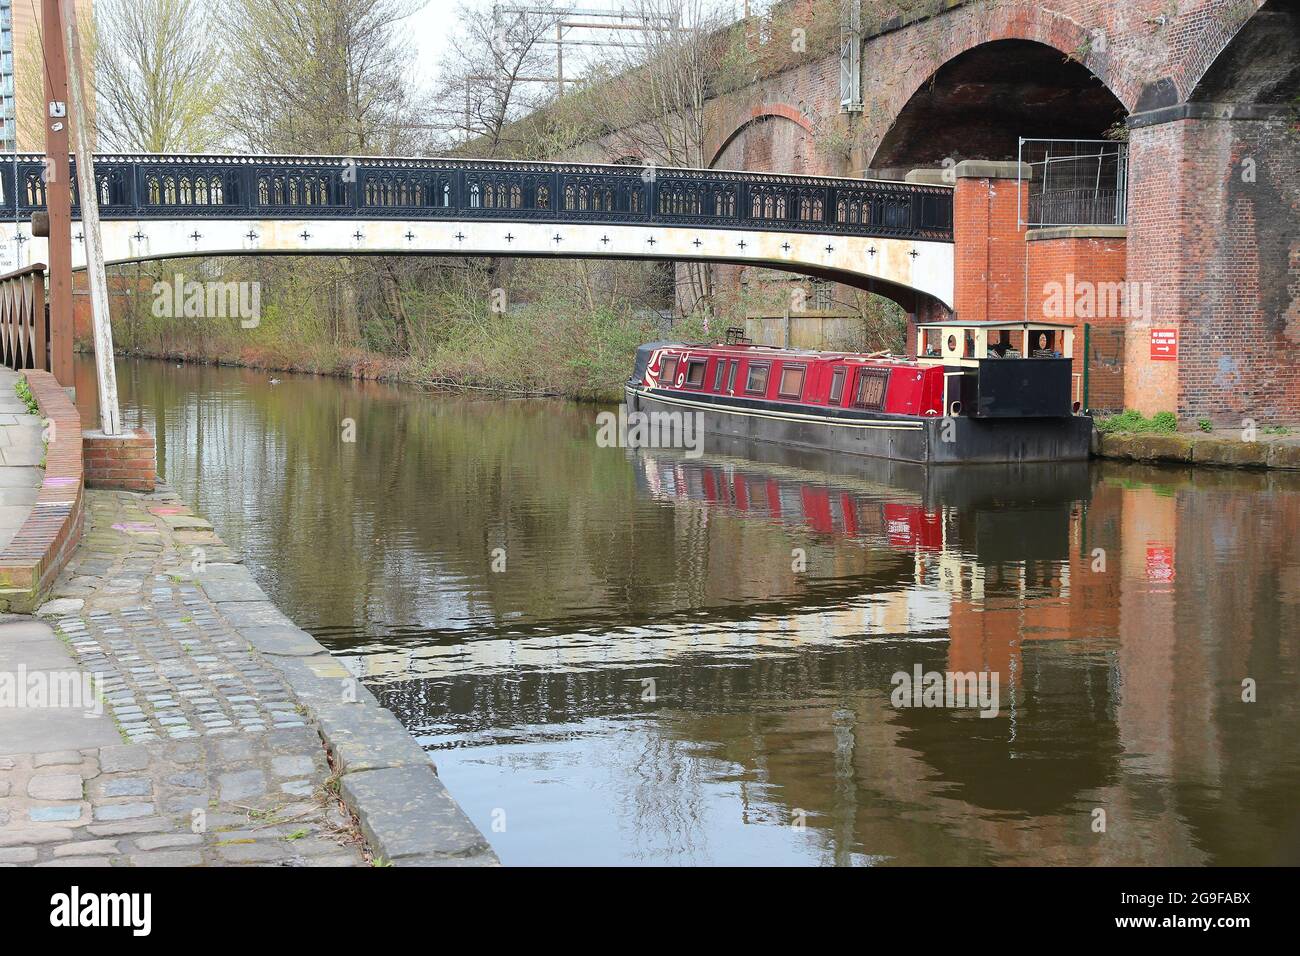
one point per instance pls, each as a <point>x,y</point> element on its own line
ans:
<point>214,187</point>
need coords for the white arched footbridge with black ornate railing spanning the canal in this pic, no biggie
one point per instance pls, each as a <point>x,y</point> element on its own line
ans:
<point>891,237</point>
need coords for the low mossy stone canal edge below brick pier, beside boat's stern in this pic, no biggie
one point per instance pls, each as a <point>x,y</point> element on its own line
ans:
<point>1206,451</point>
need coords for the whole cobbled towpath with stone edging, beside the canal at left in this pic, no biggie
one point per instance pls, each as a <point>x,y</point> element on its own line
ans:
<point>202,741</point>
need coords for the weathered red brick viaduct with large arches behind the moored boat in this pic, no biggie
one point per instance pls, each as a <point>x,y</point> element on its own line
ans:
<point>1208,94</point>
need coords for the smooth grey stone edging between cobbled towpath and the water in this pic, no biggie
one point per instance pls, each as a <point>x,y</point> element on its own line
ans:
<point>385,778</point>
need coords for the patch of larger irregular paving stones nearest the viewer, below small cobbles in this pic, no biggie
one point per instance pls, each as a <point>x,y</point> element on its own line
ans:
<point>207,802</point>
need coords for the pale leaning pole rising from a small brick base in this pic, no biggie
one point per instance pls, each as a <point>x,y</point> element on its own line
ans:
<point>110,416</point>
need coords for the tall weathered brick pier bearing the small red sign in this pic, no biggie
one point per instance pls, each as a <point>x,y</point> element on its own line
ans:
<point>1215,233</point>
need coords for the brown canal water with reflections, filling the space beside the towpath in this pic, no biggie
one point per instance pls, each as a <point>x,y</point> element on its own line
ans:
<point>642,657</point>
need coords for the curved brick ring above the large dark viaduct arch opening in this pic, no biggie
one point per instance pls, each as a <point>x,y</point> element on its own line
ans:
<point>963,31</point>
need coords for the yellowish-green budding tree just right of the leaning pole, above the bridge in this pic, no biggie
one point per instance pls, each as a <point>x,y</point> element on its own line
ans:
<point>157,76</point>
